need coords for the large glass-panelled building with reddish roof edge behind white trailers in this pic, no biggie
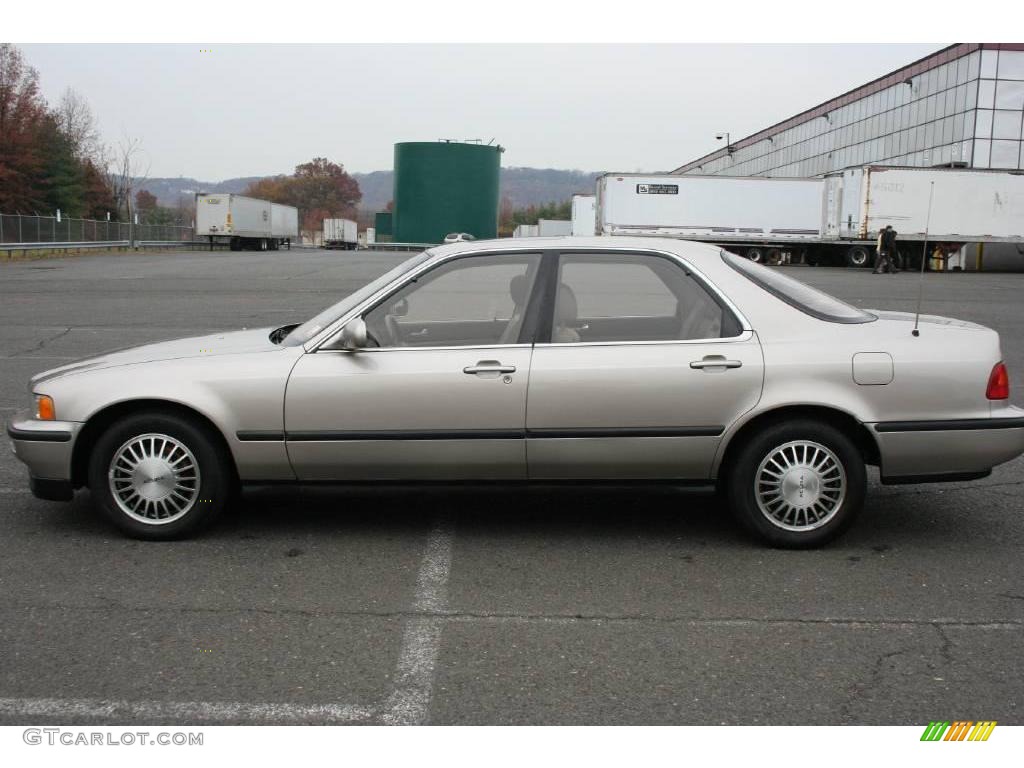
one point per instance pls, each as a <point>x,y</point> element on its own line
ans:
<point>961,107</point>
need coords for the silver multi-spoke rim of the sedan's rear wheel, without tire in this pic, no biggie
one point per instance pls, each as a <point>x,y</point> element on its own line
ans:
<point>800,486</point>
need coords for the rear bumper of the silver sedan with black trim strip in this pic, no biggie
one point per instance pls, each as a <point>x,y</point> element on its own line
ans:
<point>937,451</point>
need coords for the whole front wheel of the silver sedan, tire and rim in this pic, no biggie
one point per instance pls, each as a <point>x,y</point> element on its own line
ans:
<point>159,477</point>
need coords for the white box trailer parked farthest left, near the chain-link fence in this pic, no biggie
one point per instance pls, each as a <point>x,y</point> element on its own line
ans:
<point>244,224</point>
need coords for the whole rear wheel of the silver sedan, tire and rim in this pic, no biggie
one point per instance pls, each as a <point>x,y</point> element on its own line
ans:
<point>798,484</point>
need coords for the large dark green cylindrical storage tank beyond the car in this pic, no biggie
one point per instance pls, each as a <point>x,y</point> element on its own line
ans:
<point>443,188</point>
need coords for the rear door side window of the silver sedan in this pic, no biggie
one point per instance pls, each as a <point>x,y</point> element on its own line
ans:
<point>634,297</point>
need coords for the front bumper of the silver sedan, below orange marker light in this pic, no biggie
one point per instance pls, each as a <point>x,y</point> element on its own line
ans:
<point>46,447</point>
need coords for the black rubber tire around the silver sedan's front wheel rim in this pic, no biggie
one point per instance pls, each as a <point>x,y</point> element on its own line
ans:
<point>217,485</point>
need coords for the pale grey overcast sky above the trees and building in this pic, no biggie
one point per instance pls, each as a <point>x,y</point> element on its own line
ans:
<point>261,110</point>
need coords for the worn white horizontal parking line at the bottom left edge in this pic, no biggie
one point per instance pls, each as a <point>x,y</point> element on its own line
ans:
<point>212,711</point>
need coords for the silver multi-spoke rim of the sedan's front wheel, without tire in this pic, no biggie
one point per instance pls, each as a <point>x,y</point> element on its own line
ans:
<point>154,479</point>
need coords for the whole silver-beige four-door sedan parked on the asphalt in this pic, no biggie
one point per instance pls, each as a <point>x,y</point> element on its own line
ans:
<point>577,360</point>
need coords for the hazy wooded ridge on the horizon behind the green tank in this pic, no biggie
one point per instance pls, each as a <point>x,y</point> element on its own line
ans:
<point>523,187</point>
